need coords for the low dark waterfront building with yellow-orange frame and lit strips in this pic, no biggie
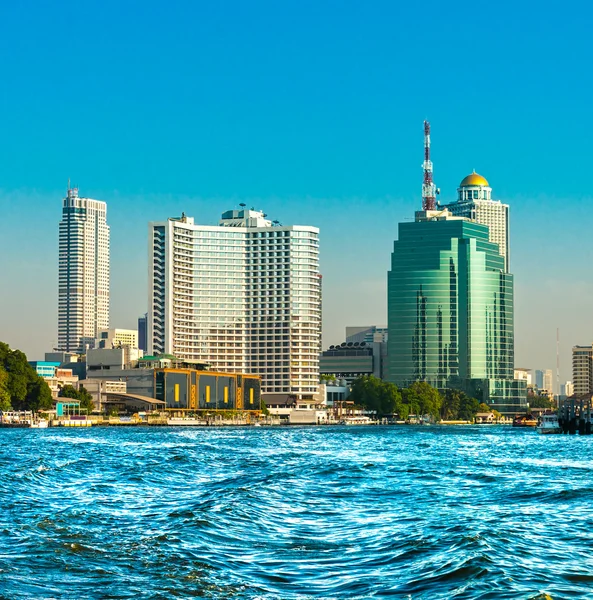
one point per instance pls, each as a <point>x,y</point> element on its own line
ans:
<point>193,390</point>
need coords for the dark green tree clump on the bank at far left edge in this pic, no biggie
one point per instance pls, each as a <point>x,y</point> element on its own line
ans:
<point>20,386</point>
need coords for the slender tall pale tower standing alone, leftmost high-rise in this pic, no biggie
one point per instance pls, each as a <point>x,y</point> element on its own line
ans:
<point>83,287</point>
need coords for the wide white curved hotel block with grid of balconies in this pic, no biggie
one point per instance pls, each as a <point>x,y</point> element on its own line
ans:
<point>242,296</point>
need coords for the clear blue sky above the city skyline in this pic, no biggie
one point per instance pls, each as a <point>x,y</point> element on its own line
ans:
<point>311,111</point>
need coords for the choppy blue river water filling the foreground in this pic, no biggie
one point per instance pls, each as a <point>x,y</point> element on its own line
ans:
<point>279,513</point>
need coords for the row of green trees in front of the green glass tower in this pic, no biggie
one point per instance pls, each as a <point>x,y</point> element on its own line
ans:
<point>419,399</point>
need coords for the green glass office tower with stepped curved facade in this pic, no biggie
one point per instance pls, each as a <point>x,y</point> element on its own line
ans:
<point>450,311</point>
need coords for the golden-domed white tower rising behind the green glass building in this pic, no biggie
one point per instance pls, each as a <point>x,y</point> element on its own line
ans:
<point>474,201</point>
